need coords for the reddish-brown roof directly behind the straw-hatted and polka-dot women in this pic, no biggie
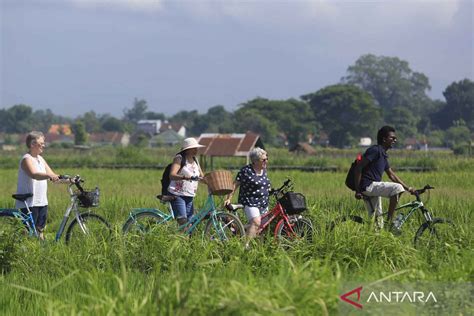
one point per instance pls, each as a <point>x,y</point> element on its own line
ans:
<point>228,144</point>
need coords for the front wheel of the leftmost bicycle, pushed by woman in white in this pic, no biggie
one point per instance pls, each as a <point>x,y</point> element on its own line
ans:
<point>94,228</point>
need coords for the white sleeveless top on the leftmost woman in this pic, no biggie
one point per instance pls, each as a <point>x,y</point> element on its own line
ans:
<point>26,184</point>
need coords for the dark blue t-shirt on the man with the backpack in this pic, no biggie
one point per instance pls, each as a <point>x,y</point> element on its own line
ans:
<point>374,170</point>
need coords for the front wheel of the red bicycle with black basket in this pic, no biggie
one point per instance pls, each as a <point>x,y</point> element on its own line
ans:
<point>301,230</point>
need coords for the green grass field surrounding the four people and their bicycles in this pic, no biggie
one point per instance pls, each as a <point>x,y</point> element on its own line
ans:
<point>172,274</point>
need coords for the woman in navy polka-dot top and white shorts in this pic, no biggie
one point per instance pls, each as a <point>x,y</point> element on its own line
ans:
<point>254,189</point>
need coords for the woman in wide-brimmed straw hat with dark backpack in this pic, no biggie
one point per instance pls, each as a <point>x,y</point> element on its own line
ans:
<point>184,177</point>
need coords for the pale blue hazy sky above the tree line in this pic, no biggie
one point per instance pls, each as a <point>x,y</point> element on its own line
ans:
<point>74,56</point>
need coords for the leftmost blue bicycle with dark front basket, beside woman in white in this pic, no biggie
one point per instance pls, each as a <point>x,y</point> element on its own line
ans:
<point>84,224</point>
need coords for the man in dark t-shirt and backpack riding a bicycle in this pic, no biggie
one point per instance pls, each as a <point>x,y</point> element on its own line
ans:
<point>368,177</point>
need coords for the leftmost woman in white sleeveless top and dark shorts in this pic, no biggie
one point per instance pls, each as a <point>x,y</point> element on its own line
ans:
<point>33,175</point>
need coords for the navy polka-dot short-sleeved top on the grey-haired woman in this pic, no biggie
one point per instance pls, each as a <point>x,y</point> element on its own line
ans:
<point>254,189</point>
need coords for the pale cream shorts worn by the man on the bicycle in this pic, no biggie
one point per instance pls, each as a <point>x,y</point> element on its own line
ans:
<point>376,191</point>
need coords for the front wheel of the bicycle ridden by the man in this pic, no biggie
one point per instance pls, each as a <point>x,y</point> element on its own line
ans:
<point>438,233</point>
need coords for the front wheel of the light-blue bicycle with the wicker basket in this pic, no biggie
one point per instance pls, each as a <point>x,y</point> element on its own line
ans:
<point>227,226</point>
